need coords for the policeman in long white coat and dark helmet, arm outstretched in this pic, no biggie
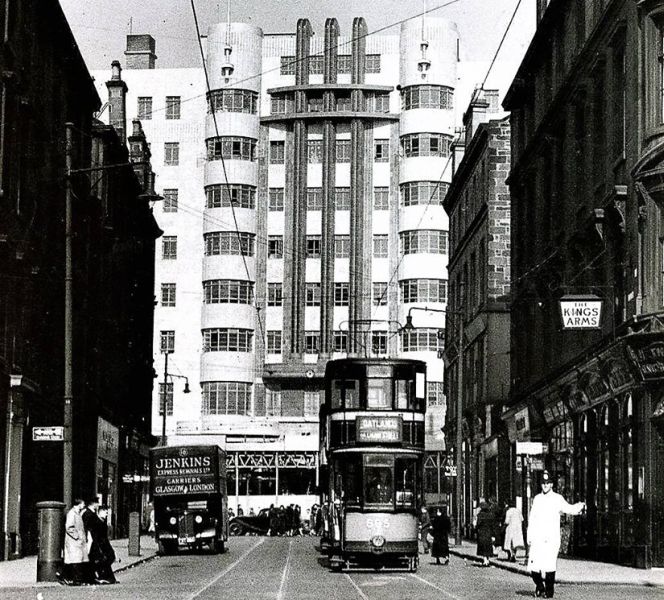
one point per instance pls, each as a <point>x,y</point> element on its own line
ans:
<point>544,535</point>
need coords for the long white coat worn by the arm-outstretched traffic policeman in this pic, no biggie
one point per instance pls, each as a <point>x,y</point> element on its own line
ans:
<point>544,529</point>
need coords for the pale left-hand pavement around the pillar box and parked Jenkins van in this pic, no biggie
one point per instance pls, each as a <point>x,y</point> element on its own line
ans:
<point>22,572</point>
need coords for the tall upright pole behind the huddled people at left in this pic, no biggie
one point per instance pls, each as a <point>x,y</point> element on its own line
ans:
<point>68,333</point>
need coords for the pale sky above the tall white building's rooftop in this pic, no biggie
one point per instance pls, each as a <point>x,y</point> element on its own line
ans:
<point>100,26</point>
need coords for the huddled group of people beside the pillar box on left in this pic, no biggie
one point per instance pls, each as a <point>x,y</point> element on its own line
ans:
<point>88,555</point>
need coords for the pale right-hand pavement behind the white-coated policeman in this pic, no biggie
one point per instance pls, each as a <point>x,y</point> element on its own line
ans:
<point>571,570</point>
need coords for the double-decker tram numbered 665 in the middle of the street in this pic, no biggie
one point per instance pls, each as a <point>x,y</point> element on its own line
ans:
<point>372,438</point>
